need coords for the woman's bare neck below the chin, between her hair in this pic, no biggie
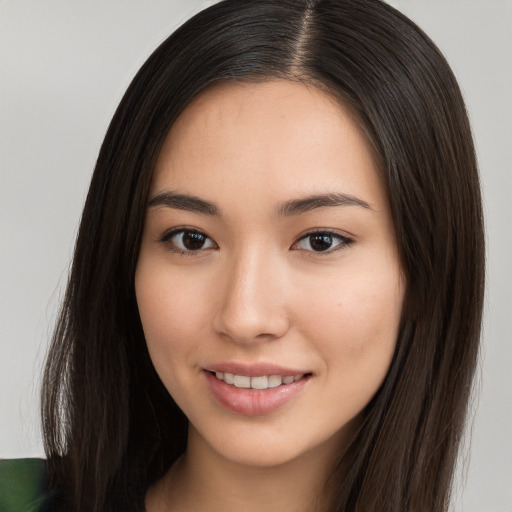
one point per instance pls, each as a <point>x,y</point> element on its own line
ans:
<point>204,480</point>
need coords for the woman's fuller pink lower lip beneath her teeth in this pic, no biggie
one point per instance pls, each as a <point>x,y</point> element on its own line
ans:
<point>253,402</point>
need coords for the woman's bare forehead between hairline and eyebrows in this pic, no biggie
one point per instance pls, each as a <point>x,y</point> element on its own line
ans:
<point>270,137</point>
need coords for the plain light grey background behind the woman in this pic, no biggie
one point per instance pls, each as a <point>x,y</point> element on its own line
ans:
<point>64,67</point>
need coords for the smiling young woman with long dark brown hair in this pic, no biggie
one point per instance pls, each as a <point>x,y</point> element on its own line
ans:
<point>276,294</point>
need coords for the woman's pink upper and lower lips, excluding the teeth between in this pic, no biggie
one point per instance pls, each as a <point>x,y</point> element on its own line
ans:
<point>254,402</point>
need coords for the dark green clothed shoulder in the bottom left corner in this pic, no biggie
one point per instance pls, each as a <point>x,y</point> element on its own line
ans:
<point>23,485</point>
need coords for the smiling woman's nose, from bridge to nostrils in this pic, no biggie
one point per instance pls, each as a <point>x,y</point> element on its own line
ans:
<point>252,304</point>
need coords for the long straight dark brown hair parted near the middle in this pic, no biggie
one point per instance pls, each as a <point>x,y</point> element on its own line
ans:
<point>110,427</point>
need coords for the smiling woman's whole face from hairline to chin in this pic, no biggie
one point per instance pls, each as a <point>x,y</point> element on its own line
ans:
<point>269,258</point>
